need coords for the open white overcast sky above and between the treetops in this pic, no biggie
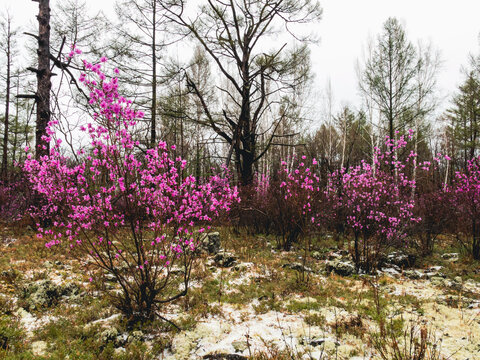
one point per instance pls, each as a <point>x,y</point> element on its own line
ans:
<point>452,27</point>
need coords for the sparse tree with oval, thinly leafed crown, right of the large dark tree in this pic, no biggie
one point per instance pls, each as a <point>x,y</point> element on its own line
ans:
<point>399,79</point>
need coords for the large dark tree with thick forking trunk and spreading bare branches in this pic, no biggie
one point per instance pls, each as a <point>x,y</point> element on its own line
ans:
<point>235,35</point>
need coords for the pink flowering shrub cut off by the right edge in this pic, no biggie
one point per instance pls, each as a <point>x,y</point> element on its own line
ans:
<point>467,203</point>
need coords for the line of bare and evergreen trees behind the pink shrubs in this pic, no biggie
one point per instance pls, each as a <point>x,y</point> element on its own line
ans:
<point>232,84</point>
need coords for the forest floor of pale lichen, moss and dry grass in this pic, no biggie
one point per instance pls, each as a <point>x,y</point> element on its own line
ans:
<point>268,304</point>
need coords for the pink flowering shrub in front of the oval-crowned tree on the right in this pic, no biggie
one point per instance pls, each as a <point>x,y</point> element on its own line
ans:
<point>376,202</point>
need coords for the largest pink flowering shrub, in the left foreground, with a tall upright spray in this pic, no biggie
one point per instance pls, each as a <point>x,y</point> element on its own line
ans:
<point>128,209</point>
